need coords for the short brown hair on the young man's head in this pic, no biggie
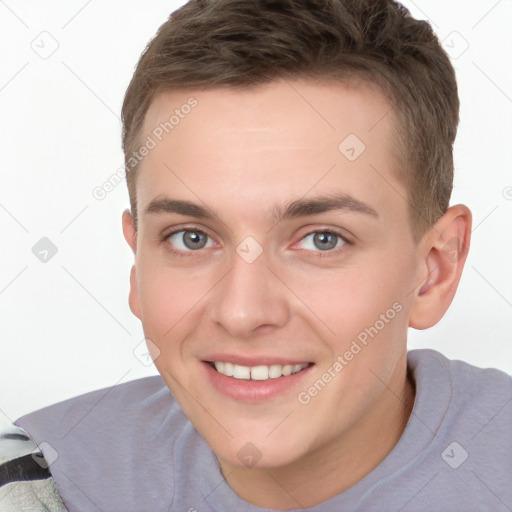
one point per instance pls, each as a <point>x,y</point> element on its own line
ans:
<point>240,43</point>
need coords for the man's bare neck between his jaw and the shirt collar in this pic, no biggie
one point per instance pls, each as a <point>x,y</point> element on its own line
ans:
<point>335,466</point>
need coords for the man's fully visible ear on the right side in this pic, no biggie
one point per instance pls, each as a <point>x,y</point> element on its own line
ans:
<point>445,248</point>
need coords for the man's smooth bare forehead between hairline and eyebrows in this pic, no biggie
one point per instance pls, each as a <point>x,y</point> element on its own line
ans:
<point>270,143</point>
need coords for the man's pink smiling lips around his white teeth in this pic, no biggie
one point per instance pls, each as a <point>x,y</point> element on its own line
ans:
<point>252,390</point>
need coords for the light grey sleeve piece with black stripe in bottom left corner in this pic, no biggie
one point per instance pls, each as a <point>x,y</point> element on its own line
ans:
<point>26,483</point>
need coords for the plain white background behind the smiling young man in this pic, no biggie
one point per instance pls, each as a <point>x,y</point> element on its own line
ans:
<point>66,327</point>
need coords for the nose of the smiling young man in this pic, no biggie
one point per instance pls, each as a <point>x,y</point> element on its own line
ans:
<point>250,299</point>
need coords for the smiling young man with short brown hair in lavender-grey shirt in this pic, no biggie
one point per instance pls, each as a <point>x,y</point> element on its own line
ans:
<point>289,166</point>
